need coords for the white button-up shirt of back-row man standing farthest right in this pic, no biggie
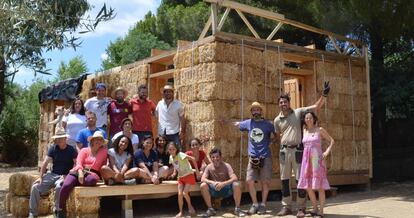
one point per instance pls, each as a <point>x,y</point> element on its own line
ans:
<point>169,117</point>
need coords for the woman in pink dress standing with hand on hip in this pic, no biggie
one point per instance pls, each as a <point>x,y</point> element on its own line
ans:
<point>313,174</point>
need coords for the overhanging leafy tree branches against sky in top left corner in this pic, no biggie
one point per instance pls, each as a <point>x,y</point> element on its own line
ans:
<point>28,28</point>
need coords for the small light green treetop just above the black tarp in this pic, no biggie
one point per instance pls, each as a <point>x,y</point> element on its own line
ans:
<point>75,67</point>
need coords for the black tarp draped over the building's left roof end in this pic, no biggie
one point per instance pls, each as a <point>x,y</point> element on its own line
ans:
<point>65,90</point>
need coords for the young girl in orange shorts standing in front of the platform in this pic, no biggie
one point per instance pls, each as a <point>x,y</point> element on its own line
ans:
<point>182,166</point>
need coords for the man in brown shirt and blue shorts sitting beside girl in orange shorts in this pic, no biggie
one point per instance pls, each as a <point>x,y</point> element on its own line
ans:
<point>220,181</point>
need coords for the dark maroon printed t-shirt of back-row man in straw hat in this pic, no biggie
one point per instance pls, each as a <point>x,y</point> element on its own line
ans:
<point>117,112</point>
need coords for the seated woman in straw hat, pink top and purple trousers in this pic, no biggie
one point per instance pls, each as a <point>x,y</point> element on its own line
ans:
<point>87,169</point>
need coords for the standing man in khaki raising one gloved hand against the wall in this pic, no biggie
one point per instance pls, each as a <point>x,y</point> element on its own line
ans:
<point>288,126</point>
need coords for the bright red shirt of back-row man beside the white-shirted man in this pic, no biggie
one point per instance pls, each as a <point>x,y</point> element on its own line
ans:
<point>141,114</point>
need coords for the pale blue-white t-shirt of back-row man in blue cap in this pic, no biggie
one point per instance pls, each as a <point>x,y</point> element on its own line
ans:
<point>99,107</point>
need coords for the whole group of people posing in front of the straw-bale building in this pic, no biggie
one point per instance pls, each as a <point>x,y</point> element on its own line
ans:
<point>83,153</point>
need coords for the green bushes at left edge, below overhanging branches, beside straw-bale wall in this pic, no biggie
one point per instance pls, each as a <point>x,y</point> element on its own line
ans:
<point>19,124</point>
